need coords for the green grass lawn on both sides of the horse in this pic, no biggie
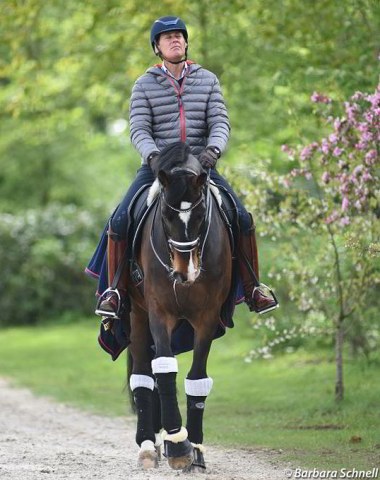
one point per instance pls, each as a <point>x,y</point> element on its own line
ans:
<point>286,403</point>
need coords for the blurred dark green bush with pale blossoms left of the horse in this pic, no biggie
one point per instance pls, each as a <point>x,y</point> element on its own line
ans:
<point>43,255</point>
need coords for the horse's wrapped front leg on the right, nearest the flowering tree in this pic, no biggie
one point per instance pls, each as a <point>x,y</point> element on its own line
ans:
<point>198,386</point>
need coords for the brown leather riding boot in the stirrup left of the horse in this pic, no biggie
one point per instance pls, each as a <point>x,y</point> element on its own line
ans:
<point>114,298</point>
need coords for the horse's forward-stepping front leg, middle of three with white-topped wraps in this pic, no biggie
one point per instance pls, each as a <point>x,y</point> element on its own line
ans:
<point>178,448</point>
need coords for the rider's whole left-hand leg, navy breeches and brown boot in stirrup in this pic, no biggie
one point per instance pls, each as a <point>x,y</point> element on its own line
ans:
<point>117,243</point>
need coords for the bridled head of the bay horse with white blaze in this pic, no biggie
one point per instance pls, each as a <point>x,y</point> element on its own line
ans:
<point>183,210</point>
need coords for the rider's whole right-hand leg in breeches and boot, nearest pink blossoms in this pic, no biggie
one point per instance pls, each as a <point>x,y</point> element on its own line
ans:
<point>248,261</point>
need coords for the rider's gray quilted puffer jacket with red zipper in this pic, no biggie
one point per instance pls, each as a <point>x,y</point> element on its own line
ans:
<point>163,112</point>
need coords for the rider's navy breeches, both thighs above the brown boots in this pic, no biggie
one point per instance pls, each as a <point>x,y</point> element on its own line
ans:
<point>145,176</point>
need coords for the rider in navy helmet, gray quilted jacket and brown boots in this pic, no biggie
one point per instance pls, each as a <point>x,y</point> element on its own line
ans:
<point>180,100</point>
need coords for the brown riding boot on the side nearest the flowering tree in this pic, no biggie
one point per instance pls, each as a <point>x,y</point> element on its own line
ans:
<point>258,297</point>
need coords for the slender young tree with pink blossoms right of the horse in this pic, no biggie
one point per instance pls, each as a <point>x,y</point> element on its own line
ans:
<point>328,209</point>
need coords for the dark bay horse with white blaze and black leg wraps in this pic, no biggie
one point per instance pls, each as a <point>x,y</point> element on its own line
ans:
<point>186,261</point>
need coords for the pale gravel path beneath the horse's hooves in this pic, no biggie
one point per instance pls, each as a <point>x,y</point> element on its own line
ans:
<point>43,440</point>
